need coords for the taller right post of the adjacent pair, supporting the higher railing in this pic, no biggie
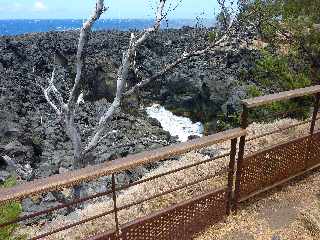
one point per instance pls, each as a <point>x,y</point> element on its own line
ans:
<point>244,125</point>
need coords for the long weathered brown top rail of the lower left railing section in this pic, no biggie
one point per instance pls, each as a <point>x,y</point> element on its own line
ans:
<point>90,173</point>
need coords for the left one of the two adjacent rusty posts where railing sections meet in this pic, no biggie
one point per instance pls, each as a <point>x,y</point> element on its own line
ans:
<point>231,172</point>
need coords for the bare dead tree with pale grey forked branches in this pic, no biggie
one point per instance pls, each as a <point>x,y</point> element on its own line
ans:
<point>67,110</point>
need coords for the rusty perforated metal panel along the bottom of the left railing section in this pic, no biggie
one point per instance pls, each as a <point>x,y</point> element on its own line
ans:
<point>178,222</point>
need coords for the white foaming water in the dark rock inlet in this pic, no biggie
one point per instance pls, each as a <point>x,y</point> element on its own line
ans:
<point>177,126</point>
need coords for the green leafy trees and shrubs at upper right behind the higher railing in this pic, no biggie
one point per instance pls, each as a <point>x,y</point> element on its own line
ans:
<point>290,56</point>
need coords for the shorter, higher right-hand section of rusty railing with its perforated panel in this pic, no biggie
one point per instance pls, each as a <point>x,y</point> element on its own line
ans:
<point>273,156</point>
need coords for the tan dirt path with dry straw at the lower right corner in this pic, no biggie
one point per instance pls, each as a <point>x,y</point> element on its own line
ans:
<point>290,212</point>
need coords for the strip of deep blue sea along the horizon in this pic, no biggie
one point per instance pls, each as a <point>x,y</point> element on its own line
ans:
<point>15,27</point>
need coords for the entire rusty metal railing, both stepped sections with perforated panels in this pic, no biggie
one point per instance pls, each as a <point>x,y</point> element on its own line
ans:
<point>183,219</point>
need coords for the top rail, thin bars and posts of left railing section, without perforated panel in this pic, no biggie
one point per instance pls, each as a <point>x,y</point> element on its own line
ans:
<point>73,178</point>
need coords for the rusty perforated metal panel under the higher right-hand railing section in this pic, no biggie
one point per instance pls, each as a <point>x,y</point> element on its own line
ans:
<point>271,166</point>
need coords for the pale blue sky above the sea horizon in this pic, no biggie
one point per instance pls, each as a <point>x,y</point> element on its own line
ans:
<point>78,9</point>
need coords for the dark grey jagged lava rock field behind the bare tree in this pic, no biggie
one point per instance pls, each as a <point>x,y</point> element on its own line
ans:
<point>33,137</point>
